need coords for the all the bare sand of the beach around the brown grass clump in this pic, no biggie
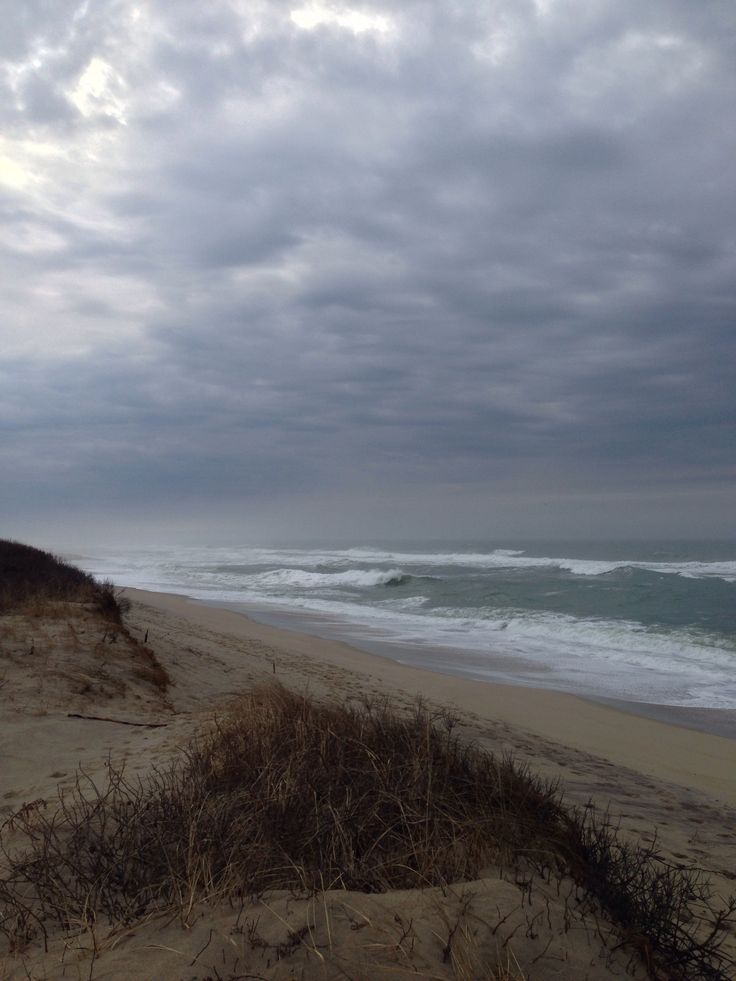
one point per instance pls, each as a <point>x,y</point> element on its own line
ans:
<point>653,777</point>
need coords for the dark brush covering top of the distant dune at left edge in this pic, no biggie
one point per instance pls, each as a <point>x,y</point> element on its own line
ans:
<point>29,576</point>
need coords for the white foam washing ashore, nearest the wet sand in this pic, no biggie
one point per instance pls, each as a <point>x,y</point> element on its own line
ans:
<point>592,656</point>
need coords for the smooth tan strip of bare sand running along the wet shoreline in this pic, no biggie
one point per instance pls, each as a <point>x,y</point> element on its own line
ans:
<point>702,762</point>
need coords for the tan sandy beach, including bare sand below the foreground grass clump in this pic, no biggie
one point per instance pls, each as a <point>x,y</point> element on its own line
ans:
<point>653,777</point>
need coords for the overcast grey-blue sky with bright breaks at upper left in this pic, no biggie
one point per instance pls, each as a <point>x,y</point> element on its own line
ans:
<point>288,270</point>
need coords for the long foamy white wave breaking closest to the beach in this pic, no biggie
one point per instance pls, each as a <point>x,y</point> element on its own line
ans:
<point>599,657</point>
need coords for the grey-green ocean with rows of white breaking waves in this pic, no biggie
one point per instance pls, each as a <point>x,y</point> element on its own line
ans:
<point>645,623</point>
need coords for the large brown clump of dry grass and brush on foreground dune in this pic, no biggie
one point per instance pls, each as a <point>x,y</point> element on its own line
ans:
<point>288,793</point>
